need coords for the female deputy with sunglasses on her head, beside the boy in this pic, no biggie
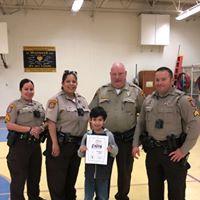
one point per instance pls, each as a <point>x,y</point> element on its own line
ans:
<point>67,116</point>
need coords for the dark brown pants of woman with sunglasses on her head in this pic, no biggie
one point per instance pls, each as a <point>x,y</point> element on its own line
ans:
<point>62,171</point>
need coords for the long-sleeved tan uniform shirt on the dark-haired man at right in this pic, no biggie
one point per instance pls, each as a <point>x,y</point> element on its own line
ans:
<point>178,113</point>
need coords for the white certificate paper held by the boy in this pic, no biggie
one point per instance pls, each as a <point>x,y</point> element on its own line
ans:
<point>97,152</point>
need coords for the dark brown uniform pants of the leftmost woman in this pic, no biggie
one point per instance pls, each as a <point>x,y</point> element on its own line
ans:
<point>24,162</point>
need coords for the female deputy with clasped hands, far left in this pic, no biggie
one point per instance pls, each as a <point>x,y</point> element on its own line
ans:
<point>24,121</point>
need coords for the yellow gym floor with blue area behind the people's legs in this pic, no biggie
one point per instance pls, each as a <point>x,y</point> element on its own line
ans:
<point>139,187</point>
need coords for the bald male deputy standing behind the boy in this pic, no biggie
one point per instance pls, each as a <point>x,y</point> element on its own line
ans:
<point>122,101</point>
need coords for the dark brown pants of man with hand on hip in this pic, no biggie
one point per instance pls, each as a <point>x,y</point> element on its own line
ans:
<point>160,168</point>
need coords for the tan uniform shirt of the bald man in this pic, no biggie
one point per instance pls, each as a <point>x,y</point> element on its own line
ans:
<point>121,108</point>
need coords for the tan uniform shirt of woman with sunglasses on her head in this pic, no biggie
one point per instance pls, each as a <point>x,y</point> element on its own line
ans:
<point>63,111</point>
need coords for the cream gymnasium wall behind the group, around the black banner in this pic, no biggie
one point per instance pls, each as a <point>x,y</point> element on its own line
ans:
<point>89,46</point>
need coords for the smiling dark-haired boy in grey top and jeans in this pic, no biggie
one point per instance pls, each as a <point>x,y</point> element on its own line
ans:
<point>97,176</point>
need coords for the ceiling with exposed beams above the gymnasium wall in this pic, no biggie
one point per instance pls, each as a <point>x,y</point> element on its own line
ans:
<point>8,7</point>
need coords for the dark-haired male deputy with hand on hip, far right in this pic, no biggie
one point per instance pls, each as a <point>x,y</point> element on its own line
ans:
<point>168,127</point>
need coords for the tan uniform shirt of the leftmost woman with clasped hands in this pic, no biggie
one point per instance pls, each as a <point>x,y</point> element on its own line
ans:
<point>21,112</point>
